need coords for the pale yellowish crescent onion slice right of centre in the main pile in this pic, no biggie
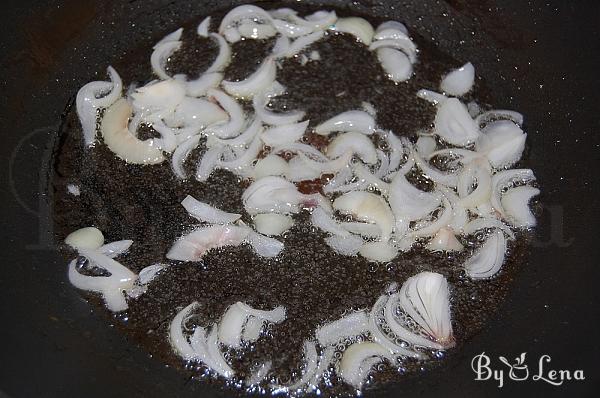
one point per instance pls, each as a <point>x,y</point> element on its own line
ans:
<point>368,207</point>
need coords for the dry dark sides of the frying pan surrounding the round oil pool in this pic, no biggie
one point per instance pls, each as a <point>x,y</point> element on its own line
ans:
<point>542,57</point>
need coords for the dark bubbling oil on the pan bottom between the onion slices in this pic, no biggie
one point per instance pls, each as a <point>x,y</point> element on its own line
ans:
<point>316,285</point>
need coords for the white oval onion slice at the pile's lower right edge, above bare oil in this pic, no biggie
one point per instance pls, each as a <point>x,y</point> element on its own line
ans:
<point>488,259</point>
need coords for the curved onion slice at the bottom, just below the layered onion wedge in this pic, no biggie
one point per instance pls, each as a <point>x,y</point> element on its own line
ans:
<point>358,359</point>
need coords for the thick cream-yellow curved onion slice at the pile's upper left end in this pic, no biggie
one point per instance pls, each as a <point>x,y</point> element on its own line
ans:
<point>124,144</point>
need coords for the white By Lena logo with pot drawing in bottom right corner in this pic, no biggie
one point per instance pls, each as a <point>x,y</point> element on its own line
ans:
<point>519,371</point>
